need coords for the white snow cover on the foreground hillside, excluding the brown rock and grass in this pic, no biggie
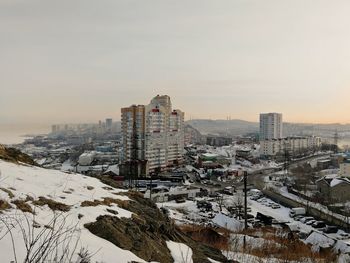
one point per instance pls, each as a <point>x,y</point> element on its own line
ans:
<point>71,189</point>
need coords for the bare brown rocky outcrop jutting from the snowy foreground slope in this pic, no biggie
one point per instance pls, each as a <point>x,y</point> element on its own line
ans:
<point>146,233</point>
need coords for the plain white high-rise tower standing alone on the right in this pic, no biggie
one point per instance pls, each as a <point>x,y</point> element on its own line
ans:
<point>270,126</point>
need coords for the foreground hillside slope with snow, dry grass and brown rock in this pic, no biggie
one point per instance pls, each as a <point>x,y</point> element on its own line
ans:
<point>87,219</point>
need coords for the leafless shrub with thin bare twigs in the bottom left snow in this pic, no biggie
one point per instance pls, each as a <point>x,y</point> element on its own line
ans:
<point>57,241</point>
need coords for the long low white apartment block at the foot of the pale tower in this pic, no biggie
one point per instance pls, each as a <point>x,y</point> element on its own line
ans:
<point>294,145</point>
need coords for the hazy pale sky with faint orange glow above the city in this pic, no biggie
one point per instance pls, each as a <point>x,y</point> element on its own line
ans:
<point>78,61</point>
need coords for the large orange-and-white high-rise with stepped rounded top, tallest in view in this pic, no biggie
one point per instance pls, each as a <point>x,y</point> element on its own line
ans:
<point>152,136</point>
